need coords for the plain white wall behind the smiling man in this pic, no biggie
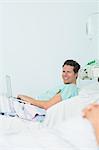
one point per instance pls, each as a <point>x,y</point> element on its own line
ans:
<point>37,37</point>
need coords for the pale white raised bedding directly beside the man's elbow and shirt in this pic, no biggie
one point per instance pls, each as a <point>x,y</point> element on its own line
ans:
<point>68,109</point>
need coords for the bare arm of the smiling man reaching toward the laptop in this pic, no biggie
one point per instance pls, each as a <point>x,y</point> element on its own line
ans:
<point>41,103</point>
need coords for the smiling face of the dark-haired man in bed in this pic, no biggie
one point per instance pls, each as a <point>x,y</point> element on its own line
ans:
<point>68,74</point>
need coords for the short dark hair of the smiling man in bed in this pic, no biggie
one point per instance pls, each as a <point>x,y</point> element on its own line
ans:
<point>73,63</point>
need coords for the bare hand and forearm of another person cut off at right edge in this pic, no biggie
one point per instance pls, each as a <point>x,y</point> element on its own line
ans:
<point>92,114</point>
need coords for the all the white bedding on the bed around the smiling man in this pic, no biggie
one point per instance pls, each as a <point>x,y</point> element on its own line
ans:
<point>63,127</point>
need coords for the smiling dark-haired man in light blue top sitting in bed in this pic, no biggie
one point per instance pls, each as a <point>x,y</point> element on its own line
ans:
<point>69,89</point>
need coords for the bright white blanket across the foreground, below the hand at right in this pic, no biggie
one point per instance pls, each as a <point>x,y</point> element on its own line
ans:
<point>74,134</point>
